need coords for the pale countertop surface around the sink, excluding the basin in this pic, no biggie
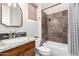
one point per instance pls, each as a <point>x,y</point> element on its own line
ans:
<point>4,47</point>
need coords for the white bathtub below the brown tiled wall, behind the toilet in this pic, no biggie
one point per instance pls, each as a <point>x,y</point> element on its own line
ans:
<point>57,49</point>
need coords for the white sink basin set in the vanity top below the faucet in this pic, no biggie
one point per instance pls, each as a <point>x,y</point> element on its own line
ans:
<point>16,40</point>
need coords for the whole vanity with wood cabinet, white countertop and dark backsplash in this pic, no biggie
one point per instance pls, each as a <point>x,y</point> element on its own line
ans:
<point>21,45</point>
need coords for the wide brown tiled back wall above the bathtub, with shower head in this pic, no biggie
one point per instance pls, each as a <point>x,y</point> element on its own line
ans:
<point>58,27</point>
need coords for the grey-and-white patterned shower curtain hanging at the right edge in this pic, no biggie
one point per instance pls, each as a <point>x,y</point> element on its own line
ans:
<point>73,29</point>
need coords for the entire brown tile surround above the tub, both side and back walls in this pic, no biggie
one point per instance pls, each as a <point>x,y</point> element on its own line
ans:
<point>55,27</point>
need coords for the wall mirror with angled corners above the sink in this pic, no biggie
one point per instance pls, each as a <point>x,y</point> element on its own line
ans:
<point>12,15</point>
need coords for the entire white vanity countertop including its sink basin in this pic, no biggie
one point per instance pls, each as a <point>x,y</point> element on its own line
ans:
<point>11,43</point>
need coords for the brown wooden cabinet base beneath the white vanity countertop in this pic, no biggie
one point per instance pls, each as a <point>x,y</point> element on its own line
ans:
<point>23,50</point>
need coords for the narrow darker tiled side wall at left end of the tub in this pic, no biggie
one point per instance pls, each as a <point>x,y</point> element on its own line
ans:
<point>44,27</point>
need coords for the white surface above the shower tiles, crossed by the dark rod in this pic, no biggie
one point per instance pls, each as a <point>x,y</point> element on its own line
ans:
<point>51,10</point>
